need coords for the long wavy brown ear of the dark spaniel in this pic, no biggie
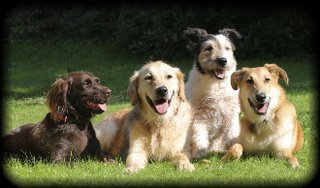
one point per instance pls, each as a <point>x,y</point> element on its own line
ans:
<point>57,100</point>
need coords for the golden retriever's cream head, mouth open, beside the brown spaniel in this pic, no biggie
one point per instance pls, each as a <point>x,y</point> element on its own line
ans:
<point>156,86</point>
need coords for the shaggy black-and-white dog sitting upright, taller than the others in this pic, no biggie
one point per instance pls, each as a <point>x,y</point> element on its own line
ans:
<point>215,103</point>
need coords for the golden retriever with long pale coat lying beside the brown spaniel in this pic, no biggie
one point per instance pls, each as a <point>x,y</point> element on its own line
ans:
<point>158,126</point>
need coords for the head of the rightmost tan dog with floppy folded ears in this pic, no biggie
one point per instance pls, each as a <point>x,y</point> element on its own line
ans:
<point>258,86</point>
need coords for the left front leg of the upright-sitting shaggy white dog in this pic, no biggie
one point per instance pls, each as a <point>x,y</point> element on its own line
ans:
<point>200,140</point>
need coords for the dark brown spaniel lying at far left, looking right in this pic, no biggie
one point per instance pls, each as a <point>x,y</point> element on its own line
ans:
<point>66,131</point>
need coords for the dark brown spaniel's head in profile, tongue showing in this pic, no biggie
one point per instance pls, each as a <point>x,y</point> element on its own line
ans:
<point>79,94</point>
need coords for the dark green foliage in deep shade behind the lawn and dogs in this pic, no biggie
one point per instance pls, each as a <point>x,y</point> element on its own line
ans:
<point>155,30</point>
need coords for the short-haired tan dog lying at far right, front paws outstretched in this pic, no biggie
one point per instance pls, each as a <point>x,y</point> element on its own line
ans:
<point>270,122</point>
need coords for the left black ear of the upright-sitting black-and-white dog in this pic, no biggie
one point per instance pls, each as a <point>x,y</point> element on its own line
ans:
<point>195,36</point>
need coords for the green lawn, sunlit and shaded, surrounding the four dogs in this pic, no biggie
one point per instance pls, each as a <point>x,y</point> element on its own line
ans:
<point>32,68</point>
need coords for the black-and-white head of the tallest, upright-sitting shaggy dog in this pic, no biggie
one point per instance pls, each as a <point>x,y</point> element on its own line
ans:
<point>213,53</point>
